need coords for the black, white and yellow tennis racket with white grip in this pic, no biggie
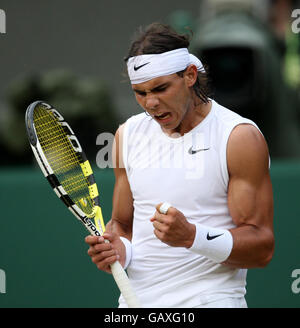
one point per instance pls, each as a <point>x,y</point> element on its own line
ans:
<point>65,166</point>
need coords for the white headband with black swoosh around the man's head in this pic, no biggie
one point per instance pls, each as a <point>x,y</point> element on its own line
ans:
<point>147,67</point>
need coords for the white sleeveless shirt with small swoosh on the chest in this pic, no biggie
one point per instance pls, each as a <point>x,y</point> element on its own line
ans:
<point>190,172</point>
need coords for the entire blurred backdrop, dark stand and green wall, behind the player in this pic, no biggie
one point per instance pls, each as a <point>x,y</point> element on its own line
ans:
<point>70,54</point>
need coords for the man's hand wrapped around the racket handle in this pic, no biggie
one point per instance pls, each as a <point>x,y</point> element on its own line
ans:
<point>103,254</point>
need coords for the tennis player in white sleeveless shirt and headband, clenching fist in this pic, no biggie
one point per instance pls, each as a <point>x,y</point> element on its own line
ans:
<point>192,203</point>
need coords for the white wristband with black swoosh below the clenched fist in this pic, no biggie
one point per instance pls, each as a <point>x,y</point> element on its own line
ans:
<point>214,243</point>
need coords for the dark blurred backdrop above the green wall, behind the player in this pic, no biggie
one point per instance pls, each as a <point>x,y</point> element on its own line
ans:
<point>71,53</point>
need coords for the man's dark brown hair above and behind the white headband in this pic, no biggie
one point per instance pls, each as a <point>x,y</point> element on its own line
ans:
<point>157,38</point>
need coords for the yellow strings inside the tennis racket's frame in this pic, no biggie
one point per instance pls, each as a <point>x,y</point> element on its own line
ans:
<point>63,159</point>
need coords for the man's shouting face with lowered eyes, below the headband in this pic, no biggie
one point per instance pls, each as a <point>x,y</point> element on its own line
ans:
<point>167,99</point>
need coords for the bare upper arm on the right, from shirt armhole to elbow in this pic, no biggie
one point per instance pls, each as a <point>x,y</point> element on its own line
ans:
<point>250,197</point>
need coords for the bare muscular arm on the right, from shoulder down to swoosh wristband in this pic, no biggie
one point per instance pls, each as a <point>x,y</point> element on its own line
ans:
<point>250,198</point>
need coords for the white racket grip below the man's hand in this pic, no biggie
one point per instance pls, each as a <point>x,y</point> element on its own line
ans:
<point>123,283</point>
